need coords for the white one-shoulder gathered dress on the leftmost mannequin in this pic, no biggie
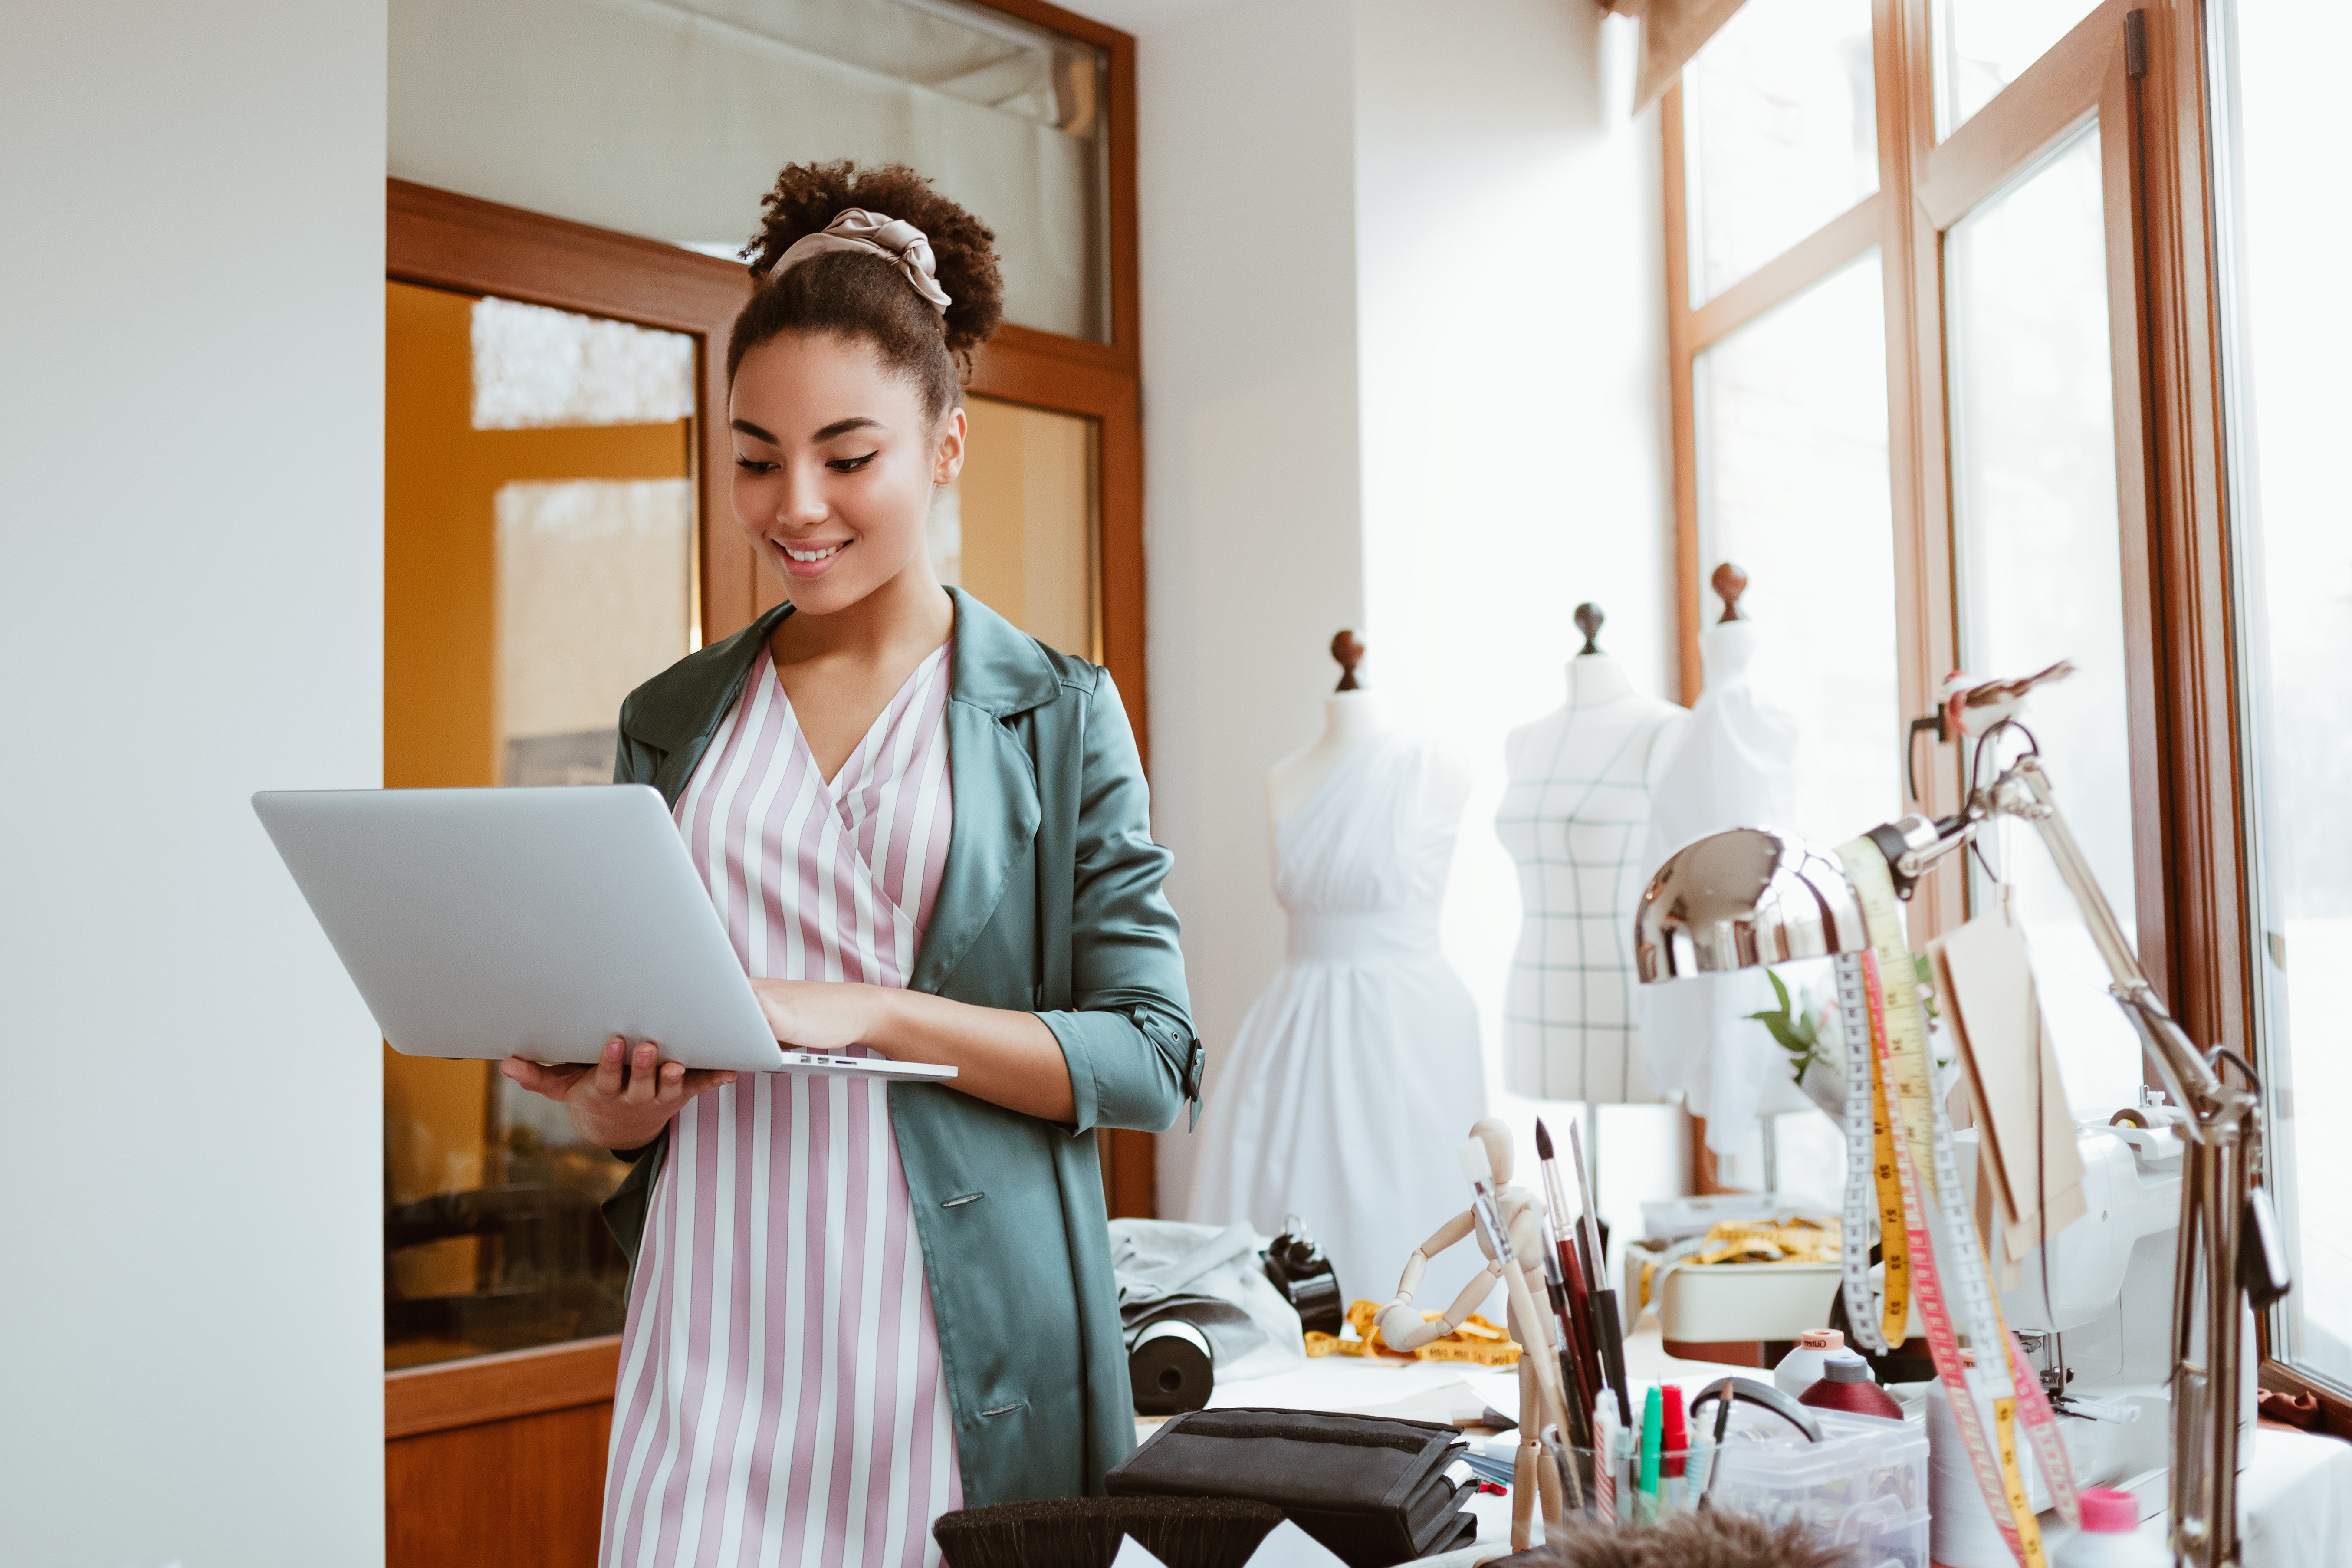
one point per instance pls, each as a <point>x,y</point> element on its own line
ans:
<point>1358,1073</point>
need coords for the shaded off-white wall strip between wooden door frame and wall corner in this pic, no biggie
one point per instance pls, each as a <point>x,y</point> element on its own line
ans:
<point>1252,464</point>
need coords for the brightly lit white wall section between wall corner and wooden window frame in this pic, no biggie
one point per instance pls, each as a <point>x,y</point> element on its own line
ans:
<point>1511,326</point>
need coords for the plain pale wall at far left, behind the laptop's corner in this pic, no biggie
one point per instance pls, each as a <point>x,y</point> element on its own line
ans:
<point>192,368</point>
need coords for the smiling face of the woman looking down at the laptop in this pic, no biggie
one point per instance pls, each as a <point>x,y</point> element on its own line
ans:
<point>836,467</point>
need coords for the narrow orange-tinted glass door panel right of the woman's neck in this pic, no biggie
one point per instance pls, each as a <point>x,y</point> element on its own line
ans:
<point>1020,528</point>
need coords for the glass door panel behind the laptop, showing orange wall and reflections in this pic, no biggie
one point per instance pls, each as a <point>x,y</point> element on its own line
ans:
<point>537,565</point>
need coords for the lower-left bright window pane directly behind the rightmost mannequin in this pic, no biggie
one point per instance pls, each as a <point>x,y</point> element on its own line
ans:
<point>1793,488</point>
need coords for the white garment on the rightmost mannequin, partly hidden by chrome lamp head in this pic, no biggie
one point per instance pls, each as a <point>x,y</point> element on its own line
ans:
<point>1737,768</point>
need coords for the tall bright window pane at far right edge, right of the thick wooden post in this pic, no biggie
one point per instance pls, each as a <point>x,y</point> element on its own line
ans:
<point>2285,236</point>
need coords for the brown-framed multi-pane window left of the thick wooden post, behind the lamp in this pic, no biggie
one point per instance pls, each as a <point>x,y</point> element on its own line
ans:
<point>1913,403</point>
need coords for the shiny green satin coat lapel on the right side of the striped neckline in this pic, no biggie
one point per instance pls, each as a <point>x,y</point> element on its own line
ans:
<point>998,674</point>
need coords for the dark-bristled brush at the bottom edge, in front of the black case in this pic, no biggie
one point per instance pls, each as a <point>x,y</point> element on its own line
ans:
<point>1088,1532</point>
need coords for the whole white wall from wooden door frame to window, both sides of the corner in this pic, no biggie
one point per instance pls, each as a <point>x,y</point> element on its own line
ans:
<point>1450,467</point>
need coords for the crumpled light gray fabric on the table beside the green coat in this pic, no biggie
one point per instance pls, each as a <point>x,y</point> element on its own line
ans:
<point>1212,1280</point>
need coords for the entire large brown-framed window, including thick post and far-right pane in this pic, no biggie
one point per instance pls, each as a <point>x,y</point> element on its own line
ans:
<point>2113,410</point>
